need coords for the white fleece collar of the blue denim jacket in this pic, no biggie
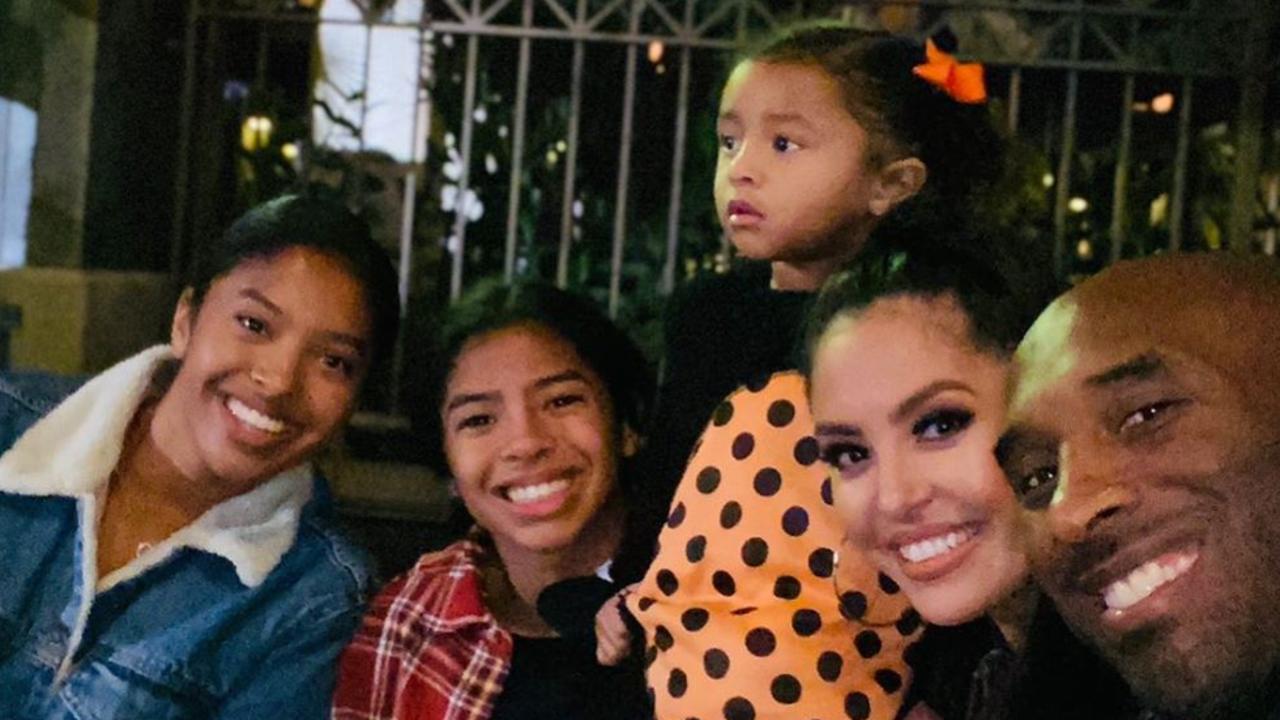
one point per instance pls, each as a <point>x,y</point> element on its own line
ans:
<point>72,452</point>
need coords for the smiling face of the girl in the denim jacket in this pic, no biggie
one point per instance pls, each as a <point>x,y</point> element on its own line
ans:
<point>272,364</point>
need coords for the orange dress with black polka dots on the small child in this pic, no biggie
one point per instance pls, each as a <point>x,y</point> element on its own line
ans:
<point>752,610</point>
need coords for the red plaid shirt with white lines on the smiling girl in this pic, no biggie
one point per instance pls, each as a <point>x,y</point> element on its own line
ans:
<point>428,649</point>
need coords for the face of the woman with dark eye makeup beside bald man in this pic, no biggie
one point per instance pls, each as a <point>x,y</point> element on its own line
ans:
<point>908,412</point>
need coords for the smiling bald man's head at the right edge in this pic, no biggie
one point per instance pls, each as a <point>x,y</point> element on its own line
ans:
<point>1145,446</point>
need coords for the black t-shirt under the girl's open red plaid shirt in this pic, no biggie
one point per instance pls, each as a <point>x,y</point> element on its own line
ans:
<point>560,680</point>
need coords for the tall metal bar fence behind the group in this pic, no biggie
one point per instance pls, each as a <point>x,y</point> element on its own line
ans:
<point>598,165</point>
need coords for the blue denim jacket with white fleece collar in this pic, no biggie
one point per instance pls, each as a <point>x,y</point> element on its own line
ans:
<point>243,614</point>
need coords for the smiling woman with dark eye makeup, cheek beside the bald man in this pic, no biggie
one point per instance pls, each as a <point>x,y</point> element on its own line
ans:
<point>909,353</point>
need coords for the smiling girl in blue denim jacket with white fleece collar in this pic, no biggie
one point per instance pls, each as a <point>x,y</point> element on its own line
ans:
<point>164,555</point>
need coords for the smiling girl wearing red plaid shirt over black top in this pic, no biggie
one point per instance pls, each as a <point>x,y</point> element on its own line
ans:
<point>538,398</point>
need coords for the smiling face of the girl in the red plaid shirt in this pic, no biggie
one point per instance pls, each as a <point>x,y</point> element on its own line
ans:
<point>531,438</point>
